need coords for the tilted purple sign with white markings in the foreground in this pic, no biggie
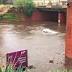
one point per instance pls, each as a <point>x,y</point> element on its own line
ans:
<point>18,58</point>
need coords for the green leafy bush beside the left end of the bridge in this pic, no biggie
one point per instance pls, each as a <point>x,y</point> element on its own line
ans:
<point>25,6</point>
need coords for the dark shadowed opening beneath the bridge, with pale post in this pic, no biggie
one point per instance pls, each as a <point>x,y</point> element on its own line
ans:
<point>54,14</point>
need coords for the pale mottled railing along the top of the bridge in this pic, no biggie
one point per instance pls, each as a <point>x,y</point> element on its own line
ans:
<point>50,4</point>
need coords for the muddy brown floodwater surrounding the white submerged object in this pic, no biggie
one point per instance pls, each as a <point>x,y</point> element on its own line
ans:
<point>45,51</point>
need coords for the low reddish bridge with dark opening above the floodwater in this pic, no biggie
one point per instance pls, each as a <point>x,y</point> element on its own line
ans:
<point>50,14</point>
